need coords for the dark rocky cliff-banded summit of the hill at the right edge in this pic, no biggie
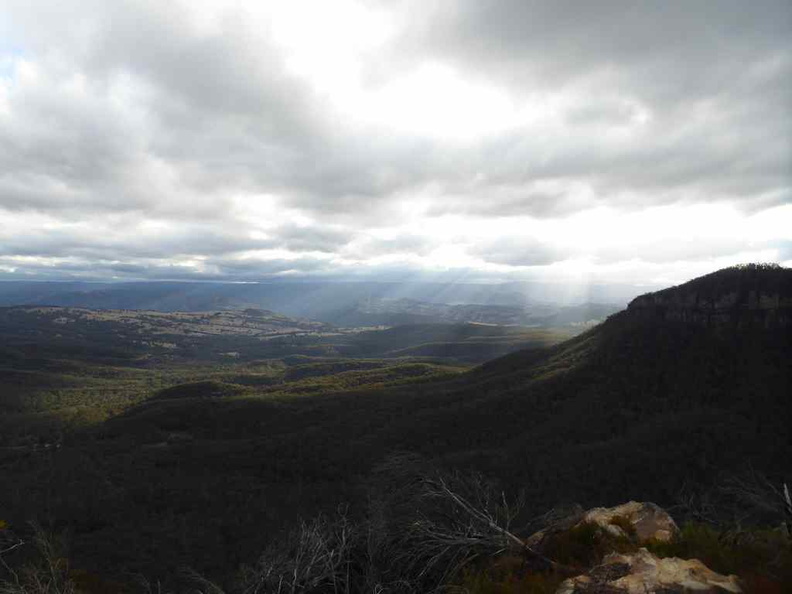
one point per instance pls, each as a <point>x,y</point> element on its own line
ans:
<point>747,296</point>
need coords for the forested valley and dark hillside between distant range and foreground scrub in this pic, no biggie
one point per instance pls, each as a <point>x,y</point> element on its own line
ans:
<point>156,448</point>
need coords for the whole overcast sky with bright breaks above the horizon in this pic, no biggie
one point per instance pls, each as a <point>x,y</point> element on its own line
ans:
<point>643,142</point>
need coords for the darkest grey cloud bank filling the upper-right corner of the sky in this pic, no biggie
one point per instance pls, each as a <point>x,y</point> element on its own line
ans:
<point>558,40</point>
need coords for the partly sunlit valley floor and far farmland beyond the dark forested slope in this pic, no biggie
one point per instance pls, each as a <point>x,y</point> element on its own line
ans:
<point>66,369</point>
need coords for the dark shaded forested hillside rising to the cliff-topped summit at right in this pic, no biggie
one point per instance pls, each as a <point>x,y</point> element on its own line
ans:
<point>641,407</point>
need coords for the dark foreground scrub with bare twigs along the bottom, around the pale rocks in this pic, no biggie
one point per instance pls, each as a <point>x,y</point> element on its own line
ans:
<point>420,530</point>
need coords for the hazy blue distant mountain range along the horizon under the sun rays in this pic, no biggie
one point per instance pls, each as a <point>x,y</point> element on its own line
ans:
<point>339,303</point>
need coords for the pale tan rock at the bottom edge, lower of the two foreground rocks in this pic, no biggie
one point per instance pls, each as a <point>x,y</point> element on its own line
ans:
<point>643,573</point>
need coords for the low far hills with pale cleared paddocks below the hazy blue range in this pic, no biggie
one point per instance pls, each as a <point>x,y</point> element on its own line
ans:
<point>152,337</point>
